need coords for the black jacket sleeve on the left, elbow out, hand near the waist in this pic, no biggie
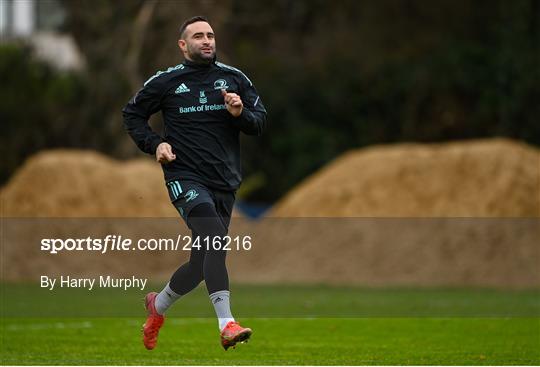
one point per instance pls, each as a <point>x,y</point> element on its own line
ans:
<point>136,113</point>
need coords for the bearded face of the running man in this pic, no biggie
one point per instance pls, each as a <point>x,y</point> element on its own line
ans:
<point>198,43</point>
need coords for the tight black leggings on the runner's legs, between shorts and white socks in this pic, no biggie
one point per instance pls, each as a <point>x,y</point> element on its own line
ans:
<point>205,262</point>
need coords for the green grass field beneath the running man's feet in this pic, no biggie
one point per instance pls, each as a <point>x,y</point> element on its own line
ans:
<point>292,325</point>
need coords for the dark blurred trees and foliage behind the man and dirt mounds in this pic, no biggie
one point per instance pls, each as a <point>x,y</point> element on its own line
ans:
<point>334,75</point>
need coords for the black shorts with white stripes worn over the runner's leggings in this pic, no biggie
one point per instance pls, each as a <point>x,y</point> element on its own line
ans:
<point>186,195</point>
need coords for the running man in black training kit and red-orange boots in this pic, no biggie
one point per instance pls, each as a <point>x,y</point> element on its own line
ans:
<point>205,105</point>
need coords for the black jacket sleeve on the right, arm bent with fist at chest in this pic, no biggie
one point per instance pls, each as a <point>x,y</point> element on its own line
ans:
<point>252,120</point>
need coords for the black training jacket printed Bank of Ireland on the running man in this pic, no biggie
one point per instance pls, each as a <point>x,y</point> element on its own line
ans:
<point>203,134</point>
